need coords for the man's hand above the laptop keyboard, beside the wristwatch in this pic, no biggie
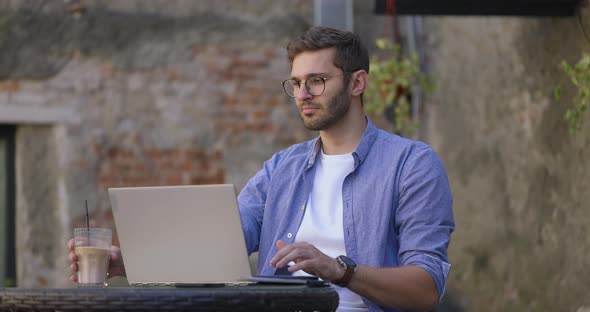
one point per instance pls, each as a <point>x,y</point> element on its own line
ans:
<point>307,258</point>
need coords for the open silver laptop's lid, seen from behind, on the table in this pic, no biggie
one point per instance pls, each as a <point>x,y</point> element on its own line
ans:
<point>180,235</point>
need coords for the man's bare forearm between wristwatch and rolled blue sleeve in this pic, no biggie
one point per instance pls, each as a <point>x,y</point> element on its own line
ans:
<point>408,287</point>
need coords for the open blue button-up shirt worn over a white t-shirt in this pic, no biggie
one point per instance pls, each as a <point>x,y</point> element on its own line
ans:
<point>397,205</point>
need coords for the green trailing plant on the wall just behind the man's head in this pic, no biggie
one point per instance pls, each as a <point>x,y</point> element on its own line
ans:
<point>390,80</point>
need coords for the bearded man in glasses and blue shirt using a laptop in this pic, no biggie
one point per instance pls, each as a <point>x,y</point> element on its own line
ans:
<point>365,209</point>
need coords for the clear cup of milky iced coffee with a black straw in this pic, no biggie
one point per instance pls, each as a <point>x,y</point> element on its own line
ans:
<point>92,248</point>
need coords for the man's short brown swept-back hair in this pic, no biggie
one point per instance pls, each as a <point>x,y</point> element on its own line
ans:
<point>351,54</point>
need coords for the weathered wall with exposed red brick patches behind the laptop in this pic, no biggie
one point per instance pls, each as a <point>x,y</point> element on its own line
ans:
<point>133,93</point>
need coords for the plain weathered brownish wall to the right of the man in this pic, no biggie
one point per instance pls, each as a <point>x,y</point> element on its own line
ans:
<point>520,181</point>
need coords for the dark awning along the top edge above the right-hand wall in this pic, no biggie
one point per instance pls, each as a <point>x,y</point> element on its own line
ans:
<point>482,7</point>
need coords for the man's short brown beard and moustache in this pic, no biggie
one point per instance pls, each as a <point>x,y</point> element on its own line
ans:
<point>329,114</point>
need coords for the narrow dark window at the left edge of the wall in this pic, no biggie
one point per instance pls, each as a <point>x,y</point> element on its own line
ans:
<point>7,203</point>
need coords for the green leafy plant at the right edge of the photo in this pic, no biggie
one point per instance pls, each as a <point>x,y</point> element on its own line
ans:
<point>579,76</point>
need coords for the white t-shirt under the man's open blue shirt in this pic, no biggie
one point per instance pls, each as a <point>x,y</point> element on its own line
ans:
<point>322,224</point>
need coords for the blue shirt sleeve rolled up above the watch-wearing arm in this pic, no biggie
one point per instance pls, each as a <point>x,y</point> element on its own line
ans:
<point>424,217</point>
